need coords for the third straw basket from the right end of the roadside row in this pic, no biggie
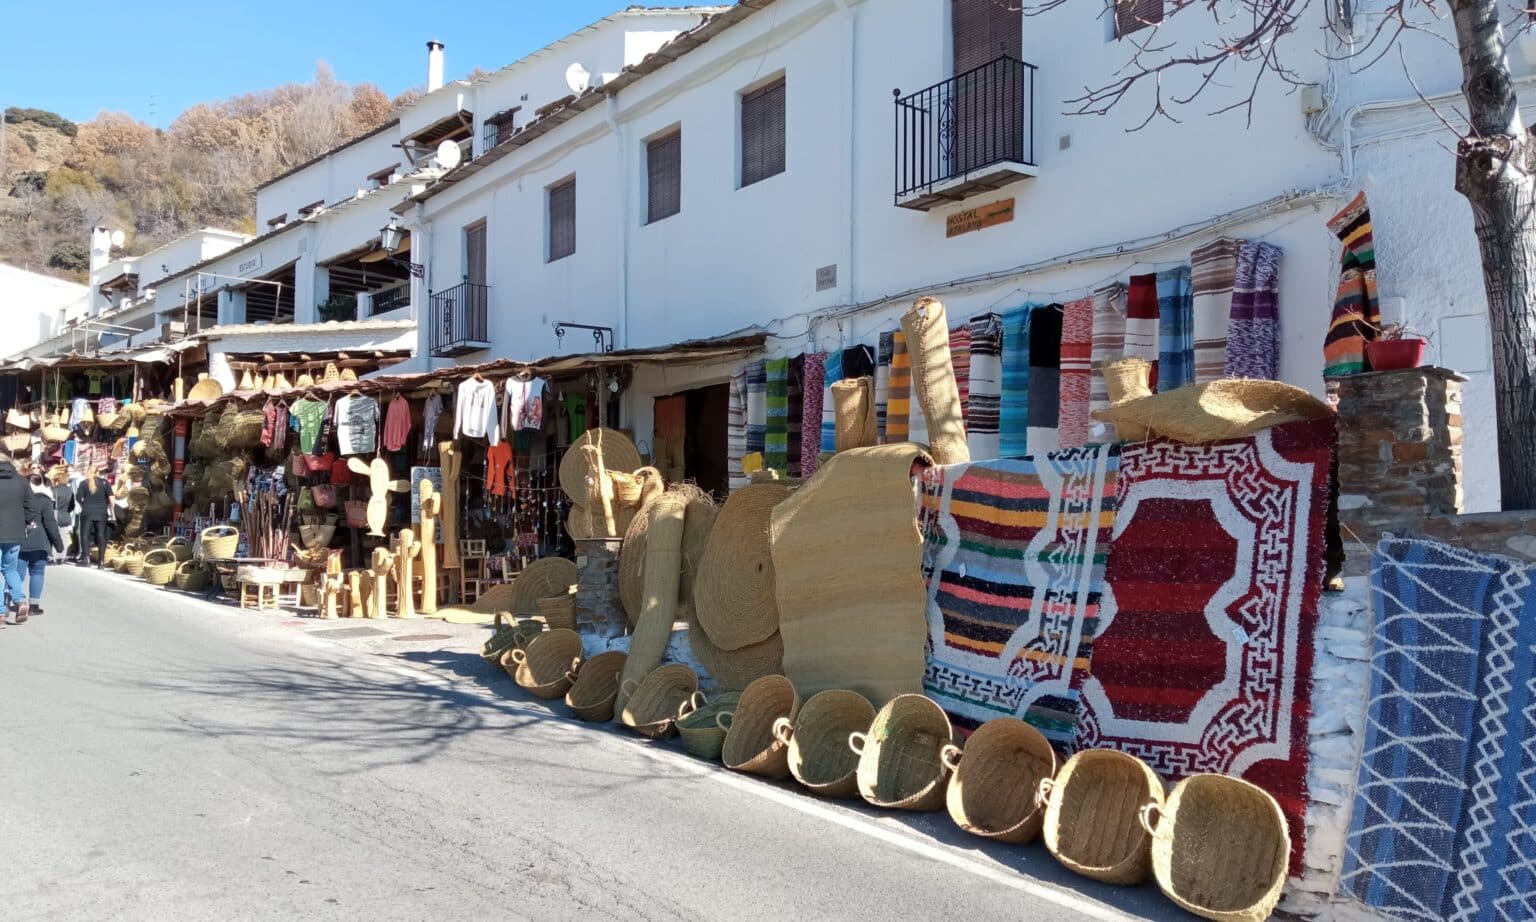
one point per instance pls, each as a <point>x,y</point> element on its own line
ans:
<point>995,783</point>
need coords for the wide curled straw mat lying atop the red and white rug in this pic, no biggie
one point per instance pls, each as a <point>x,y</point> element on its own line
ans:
<point>1216,411</point>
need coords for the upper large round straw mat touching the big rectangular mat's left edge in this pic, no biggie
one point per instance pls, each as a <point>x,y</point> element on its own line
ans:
<point>735,589</point>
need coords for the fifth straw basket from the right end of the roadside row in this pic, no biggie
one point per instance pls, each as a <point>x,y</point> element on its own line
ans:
<point>818,740</point>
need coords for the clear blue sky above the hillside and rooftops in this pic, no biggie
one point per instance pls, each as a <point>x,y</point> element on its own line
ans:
<point>162,56</point>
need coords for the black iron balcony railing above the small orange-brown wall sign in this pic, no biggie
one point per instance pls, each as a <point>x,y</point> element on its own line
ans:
<point>967,136</point>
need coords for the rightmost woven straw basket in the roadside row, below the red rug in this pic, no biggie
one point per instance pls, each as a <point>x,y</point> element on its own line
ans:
<point>1220,849</point>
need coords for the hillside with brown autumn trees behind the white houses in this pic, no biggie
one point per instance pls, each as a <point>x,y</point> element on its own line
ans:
<point>59,179</point>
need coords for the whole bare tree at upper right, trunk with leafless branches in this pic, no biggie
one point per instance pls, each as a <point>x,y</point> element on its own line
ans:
<point>1495,156</point>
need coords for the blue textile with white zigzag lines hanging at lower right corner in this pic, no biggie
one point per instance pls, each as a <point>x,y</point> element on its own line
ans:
<point>1445,821</point>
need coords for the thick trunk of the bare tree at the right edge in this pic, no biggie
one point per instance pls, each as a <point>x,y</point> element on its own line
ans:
<point>1497,173</point>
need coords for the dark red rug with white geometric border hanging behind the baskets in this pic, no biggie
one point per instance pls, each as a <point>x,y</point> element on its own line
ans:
<point>1203,662</point>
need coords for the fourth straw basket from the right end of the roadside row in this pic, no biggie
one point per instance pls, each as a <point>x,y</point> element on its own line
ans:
<point>899,758</point>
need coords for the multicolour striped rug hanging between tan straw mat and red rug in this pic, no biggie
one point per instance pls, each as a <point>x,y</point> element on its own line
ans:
<point>1015,559</point>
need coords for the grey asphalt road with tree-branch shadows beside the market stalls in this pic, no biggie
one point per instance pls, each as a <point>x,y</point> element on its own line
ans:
<point>165,758</point>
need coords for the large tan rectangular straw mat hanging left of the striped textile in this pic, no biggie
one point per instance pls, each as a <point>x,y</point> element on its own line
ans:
<point>850,557</point>
